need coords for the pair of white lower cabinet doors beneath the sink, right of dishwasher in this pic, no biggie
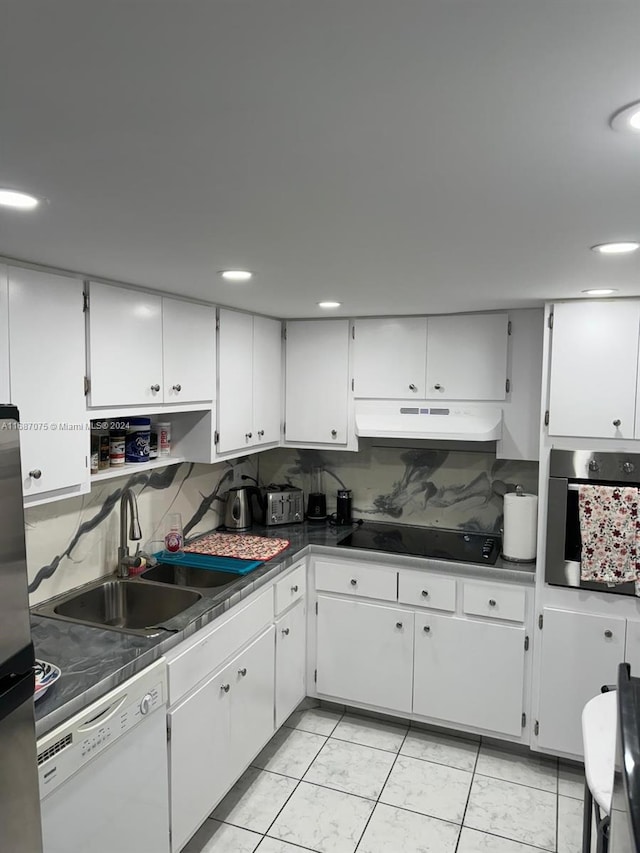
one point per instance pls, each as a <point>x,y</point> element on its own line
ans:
<point>216,731</point>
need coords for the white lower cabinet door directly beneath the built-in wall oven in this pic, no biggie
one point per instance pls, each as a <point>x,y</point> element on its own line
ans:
<point>579,654</point>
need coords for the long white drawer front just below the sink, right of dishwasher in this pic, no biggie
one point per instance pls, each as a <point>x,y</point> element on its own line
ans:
<point>212,646</point>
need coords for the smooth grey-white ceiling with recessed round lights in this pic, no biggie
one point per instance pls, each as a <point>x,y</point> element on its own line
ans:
<point>405,156</point>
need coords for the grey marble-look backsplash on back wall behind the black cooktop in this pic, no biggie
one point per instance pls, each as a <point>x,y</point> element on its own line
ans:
<point>427,487</point>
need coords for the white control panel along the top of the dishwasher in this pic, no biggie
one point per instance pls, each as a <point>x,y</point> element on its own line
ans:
<point>68,748</point>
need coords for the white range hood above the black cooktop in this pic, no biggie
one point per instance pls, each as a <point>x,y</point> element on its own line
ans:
<point>426,420</point>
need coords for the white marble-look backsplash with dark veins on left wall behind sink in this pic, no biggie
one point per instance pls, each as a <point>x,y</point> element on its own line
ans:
<point>75,541</point>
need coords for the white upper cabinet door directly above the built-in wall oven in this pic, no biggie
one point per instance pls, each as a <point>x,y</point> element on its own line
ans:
<point>594,364</point>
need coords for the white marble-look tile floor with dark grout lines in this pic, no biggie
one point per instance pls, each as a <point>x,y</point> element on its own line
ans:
<point>339,783</point>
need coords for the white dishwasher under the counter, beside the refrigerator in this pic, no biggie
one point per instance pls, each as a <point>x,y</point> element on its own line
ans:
<point>103,773</point>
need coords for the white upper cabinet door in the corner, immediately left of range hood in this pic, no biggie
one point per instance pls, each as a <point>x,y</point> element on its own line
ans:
<point>317,380</point>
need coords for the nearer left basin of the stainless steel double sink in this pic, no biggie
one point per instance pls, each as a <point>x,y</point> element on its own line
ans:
<point>125,605</point>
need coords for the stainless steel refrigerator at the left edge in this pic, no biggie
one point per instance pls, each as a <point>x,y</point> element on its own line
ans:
<point>20,830</point>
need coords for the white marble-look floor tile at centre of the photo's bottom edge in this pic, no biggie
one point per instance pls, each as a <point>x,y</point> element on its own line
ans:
<point>323,820</point>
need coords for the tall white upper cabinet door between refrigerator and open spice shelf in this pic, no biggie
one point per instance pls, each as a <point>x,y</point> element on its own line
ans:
<point>47,361</point>
